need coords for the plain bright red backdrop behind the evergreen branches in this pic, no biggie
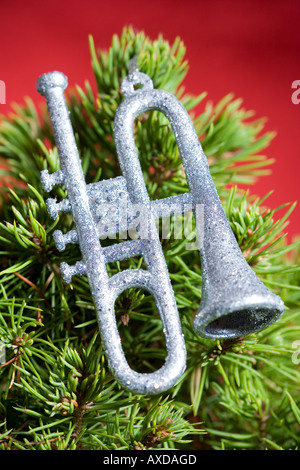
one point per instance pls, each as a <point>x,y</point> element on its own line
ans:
<point>248,47</point>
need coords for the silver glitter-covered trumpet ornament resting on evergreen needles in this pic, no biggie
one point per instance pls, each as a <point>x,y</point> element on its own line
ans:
<point>234,301</point>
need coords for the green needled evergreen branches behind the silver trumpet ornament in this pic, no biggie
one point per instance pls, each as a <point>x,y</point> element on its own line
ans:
<point>56,390</point>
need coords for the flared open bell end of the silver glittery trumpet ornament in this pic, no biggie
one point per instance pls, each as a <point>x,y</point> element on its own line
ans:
<point>235,302</point>
